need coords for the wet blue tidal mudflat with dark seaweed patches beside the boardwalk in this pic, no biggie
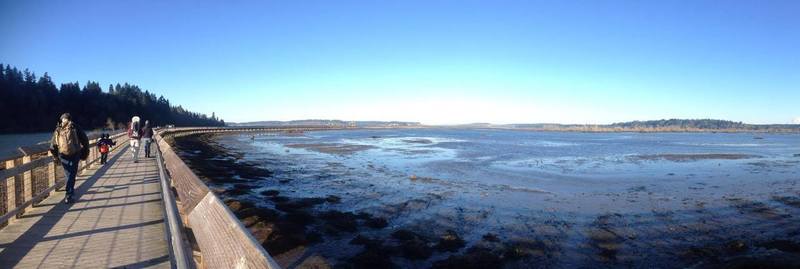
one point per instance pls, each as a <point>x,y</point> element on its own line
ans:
<point>454,198</point>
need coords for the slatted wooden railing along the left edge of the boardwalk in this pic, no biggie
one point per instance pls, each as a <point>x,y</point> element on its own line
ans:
<point>32,174</point>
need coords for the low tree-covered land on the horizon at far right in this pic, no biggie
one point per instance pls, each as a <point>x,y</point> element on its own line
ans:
<point>671,125</point>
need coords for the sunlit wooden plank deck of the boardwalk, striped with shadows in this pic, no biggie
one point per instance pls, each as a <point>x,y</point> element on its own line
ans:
<point>117,221</point>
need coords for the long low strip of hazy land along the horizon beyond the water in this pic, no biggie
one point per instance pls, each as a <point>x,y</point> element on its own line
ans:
<point>671,125</point>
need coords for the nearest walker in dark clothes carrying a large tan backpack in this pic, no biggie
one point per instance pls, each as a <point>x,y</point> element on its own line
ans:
<point>69,145</point>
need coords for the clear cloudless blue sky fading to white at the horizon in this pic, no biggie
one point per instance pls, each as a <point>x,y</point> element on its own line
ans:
<point>430,61</point>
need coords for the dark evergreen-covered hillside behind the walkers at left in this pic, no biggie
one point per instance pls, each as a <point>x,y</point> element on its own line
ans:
<point>33,104</point>
